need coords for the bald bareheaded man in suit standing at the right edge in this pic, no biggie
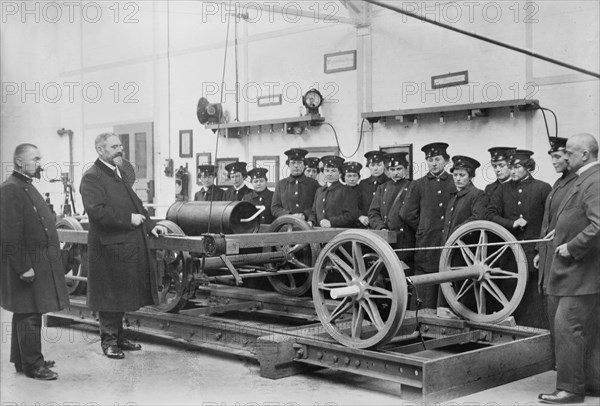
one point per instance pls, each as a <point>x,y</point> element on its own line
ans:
<point>574,278</point>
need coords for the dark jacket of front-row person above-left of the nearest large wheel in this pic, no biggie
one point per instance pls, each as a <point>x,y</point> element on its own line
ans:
<point>336,203</point>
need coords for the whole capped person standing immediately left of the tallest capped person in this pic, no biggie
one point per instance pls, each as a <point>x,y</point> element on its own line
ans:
<point>384,213</point>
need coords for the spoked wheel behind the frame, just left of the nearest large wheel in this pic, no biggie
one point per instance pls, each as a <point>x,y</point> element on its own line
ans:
<point>298,256</point>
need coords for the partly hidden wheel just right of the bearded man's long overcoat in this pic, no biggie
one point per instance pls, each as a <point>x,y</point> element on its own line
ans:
<point>173,268</point>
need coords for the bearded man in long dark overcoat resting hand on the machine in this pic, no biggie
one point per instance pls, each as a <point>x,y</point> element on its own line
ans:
<point>122,273</point>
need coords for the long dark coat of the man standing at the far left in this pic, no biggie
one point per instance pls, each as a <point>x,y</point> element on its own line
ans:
<point>28,239</point>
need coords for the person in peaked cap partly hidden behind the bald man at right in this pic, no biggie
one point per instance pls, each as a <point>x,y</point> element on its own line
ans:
<point>543,260</point>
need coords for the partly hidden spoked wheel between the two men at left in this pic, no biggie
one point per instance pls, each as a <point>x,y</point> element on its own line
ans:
<point>74,258</point>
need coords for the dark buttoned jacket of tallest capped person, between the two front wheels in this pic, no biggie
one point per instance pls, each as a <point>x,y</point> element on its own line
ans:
<point>424,210</point>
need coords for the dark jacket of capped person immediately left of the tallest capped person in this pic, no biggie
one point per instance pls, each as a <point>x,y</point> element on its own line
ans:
<point>385,213</point>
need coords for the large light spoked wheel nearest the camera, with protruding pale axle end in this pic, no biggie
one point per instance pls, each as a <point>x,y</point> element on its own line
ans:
<point>364,273</point>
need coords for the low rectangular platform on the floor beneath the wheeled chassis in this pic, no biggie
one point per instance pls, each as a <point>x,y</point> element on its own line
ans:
<point>448,359</point>
